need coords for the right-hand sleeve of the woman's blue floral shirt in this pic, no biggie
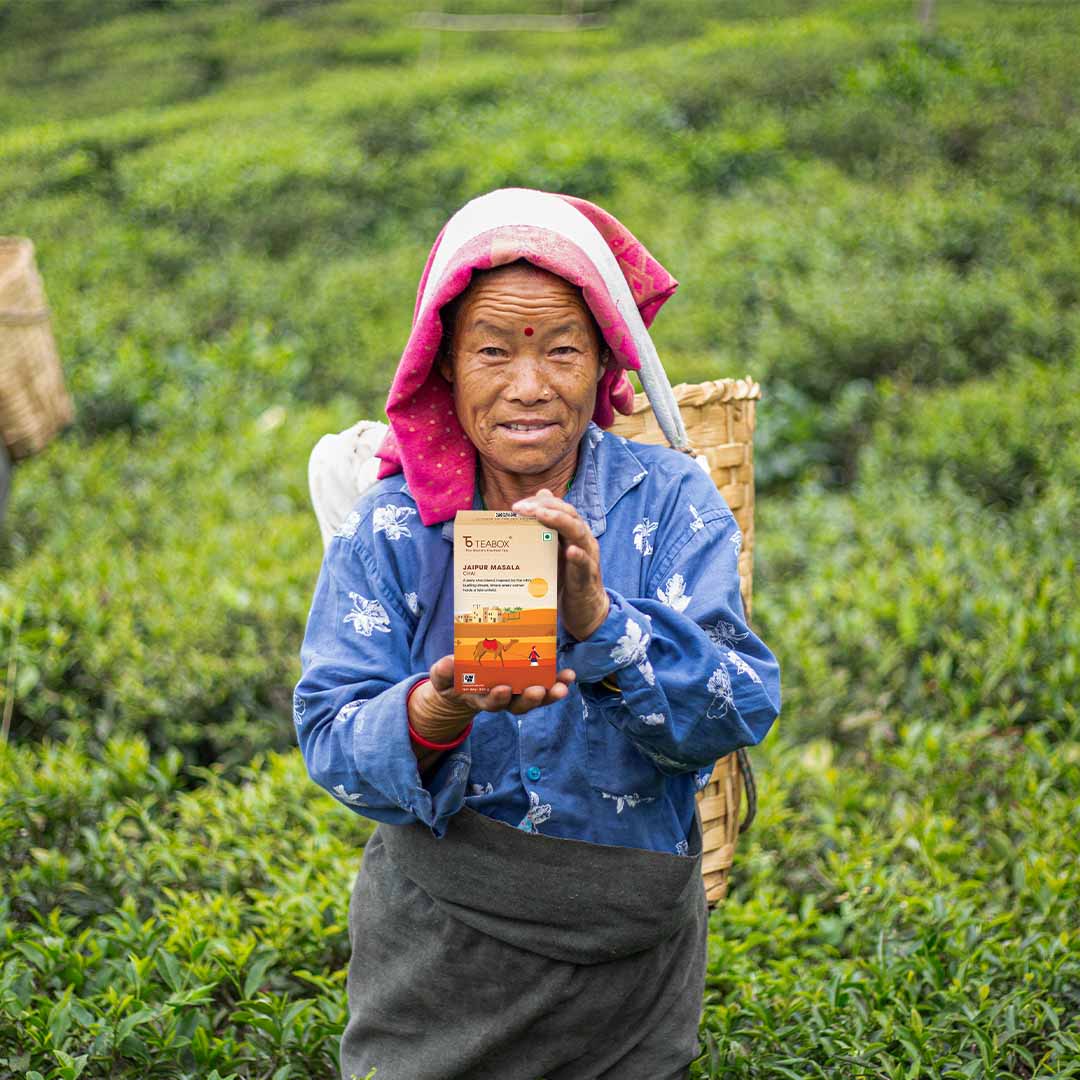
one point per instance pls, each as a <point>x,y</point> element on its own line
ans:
<point>695,682</point>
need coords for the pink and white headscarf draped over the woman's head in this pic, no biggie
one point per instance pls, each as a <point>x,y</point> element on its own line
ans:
<point>624,286</point>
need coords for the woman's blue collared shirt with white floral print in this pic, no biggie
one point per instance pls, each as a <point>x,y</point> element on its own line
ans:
<point>619,768</point>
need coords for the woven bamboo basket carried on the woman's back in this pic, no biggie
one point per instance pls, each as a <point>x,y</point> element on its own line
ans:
<point>720,420</point>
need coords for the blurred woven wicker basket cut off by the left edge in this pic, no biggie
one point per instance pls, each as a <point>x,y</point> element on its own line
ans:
<point>34,402</point>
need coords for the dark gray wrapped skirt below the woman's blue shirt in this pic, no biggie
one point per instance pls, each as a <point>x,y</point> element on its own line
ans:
<point>498,954</point>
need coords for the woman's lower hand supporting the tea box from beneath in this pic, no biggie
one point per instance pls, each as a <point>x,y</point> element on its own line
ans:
<point>440,713</point>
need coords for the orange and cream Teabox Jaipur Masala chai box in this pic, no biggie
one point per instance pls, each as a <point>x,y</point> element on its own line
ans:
<point>505,607</point>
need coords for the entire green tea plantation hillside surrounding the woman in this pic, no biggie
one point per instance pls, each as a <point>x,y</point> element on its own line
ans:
<point>232,206</point>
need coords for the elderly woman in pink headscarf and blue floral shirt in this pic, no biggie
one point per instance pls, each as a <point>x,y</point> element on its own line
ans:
<point>532,902</point>
